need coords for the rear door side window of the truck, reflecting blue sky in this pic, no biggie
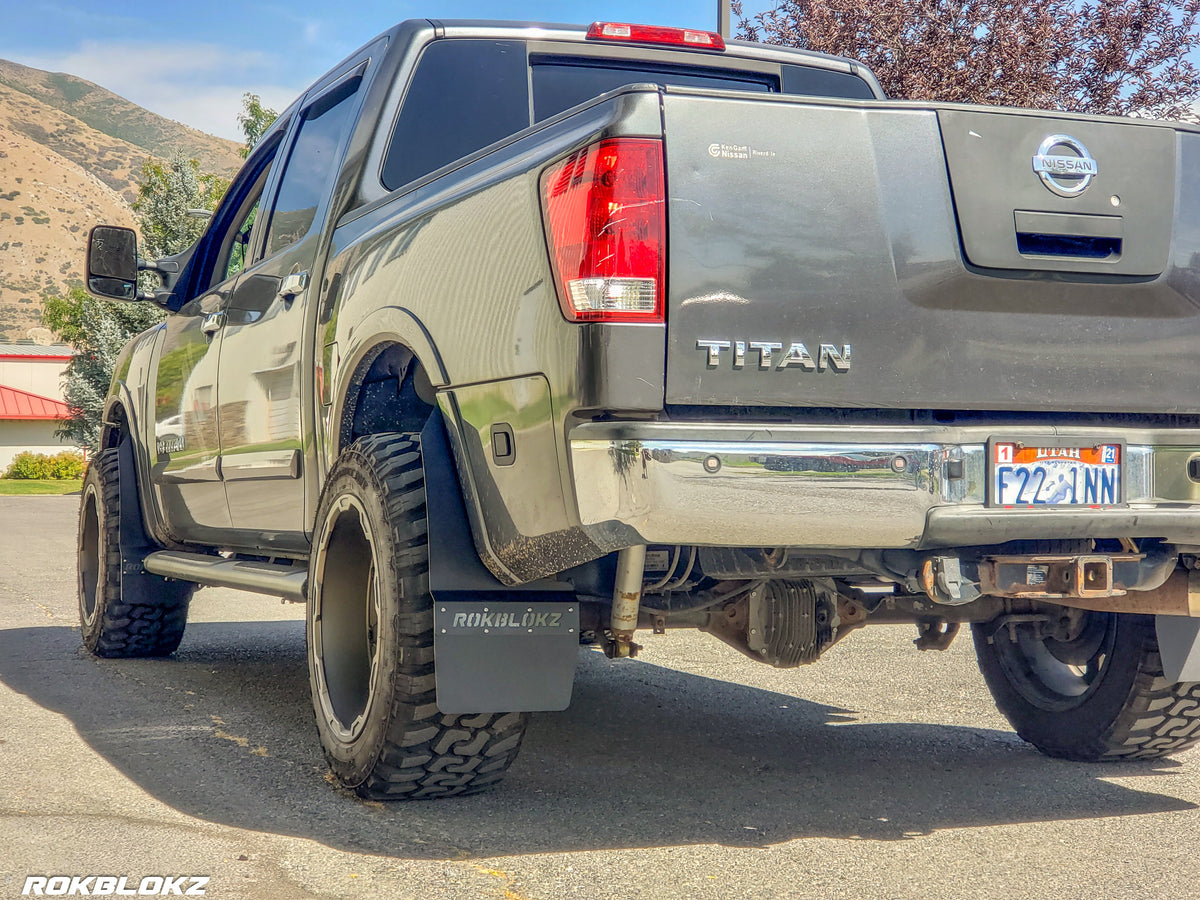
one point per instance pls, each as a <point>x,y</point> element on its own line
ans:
<point>311,166</point>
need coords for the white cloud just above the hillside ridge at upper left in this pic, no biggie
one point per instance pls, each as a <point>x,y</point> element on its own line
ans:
<point>197,85</point>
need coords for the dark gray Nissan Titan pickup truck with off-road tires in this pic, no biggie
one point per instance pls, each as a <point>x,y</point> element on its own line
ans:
<point>511,338</point>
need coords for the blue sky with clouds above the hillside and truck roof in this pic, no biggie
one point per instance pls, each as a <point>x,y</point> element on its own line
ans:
<point>193,62</point>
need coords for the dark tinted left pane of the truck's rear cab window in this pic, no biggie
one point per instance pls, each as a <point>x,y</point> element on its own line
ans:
<point>464,97</point>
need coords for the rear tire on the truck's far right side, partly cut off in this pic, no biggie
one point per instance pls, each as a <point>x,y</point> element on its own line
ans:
<point>1131,711</point>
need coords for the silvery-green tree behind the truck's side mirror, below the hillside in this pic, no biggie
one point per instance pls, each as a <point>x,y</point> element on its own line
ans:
<point>99,329</point>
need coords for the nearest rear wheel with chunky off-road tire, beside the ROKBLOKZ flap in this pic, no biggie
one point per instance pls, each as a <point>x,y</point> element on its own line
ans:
<point>398,745</point>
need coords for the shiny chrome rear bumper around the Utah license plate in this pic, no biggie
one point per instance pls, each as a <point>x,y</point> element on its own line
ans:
<point>811,487</point>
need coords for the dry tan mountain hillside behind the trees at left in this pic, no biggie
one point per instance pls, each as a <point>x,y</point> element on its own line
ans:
<point>69,155</point>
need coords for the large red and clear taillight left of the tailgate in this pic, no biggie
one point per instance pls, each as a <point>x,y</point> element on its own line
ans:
<point>607,218</point>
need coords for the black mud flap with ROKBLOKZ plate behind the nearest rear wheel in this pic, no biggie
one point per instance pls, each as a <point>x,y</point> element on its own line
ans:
<point>497,650</point>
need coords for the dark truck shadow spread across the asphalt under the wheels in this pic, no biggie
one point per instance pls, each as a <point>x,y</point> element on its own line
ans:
<point>645,758</point>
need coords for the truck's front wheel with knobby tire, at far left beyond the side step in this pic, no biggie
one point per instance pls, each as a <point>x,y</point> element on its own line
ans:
<point>146,620</point>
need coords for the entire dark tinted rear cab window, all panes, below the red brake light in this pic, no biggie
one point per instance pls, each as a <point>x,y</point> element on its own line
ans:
<point>467,94</point>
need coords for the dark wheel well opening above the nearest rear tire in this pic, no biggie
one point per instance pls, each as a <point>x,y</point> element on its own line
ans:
<point>389,392</point>
